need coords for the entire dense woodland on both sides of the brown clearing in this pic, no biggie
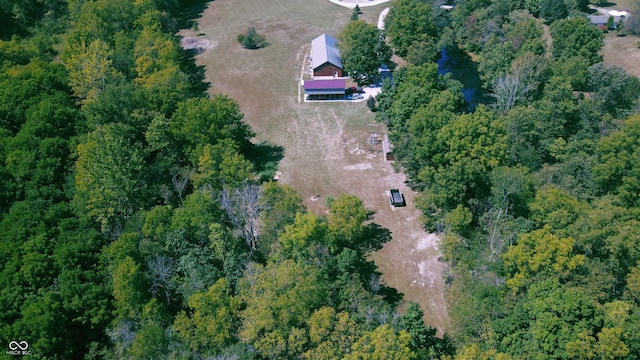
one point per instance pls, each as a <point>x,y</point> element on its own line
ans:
<point>137,219</point>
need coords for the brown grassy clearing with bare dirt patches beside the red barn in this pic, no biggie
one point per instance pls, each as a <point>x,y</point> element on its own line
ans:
<point>326,148</point>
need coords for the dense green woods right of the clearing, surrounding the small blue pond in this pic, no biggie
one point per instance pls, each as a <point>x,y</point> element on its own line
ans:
<point>536,191</point>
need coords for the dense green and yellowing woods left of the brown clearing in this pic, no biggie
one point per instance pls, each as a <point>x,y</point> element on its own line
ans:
<point>135,219</point>
